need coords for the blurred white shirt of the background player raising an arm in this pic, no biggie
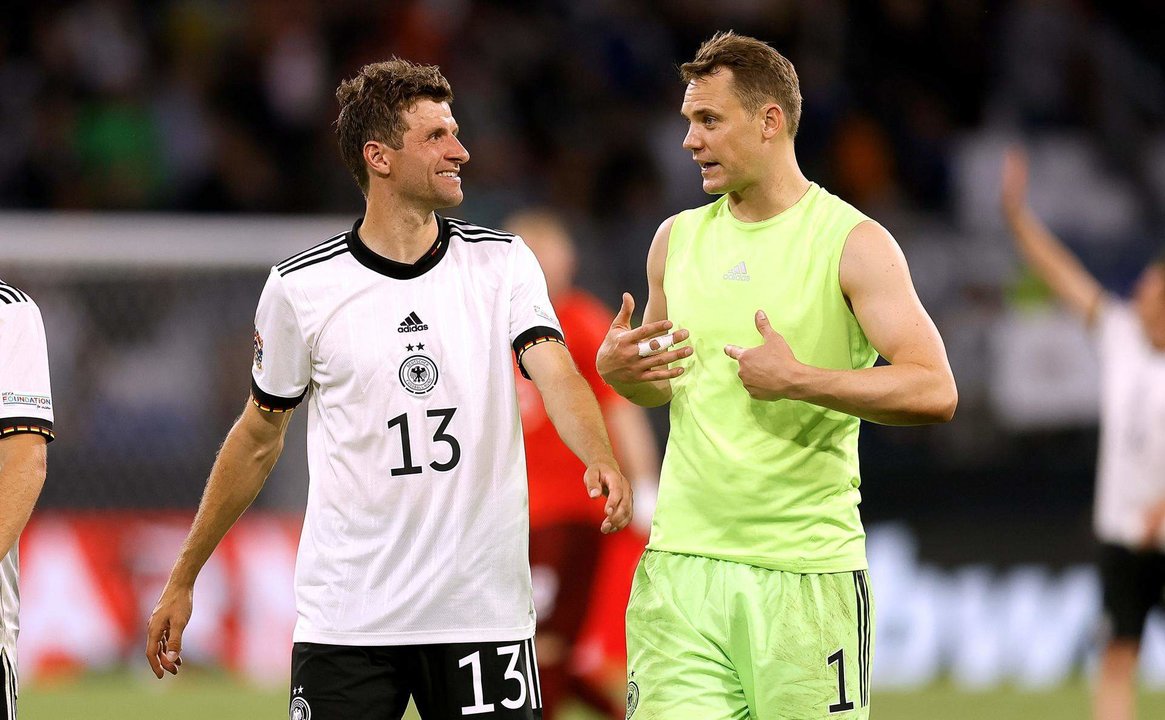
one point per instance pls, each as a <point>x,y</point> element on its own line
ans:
<point>1131,476</point>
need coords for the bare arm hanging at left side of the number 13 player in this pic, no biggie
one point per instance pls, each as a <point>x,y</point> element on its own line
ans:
<point>246,458</point>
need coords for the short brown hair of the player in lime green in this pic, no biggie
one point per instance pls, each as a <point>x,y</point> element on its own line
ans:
<point>761,75</point>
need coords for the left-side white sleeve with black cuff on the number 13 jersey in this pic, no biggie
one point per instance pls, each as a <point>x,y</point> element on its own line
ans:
<point>281,370</point>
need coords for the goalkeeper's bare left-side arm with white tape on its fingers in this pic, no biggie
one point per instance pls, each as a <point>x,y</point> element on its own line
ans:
<point>645,382</point>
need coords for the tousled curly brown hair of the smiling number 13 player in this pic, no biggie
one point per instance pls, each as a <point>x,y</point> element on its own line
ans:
<point>373,105</point>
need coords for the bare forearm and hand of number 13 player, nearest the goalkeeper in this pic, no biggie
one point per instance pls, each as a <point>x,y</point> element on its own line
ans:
<point>575,413</point>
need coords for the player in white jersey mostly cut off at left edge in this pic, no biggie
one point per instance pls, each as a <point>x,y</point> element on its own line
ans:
<point>26,428</point>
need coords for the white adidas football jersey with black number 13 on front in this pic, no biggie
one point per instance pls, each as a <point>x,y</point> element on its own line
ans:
<point>418,526</point>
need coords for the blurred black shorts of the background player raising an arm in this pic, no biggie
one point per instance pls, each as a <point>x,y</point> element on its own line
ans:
<point>1134,583</point>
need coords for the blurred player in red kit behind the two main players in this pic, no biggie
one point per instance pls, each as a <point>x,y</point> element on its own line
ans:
<point>569,562</point>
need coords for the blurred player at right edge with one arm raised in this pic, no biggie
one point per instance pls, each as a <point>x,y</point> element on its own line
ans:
<point>1129,517</point>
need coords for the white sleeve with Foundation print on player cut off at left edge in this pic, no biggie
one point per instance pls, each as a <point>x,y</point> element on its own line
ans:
<point>26,401</point>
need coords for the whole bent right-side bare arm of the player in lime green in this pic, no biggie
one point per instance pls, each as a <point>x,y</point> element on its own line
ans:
<point>916,389</point>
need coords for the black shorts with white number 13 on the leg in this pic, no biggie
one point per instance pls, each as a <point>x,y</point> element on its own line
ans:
<point>493,681</point>
